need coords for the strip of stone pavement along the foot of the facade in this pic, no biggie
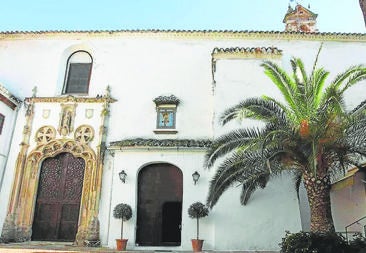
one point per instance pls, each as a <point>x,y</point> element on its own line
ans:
<point>62,247</point>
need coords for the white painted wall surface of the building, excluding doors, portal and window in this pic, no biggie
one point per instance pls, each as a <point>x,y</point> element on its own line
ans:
<point>139,68</point>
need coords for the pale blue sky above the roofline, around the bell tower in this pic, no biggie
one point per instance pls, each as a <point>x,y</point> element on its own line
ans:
<point>240,15</point>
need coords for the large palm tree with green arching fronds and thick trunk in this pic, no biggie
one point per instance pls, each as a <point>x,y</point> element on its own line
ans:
<point>310,134</point>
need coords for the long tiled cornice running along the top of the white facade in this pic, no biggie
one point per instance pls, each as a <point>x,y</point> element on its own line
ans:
<point>185,34</point>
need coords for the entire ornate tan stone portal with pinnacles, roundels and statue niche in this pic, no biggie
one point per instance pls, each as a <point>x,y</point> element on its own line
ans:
<point>18,223</point>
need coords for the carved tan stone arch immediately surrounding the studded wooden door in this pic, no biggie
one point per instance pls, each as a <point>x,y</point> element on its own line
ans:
<point>88,227</point>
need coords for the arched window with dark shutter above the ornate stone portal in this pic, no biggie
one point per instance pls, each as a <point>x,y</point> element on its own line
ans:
<point>78,72</point>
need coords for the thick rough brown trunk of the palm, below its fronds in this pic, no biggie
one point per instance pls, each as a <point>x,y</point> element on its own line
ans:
<point>318,191</point>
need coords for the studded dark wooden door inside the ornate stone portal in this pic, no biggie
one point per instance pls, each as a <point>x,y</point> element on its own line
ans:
<point>58,199</point>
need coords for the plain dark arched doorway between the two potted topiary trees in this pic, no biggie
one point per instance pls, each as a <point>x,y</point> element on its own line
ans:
<point>159,209</point>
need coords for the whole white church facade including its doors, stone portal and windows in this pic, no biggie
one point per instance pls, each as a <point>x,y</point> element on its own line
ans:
<point>81,107</point>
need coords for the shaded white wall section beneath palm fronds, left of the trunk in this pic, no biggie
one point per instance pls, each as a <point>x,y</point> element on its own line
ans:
<point>262,222</point>
